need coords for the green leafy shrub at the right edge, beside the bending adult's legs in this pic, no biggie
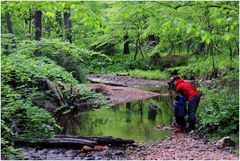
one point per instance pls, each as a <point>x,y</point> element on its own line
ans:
<point>219,111</point>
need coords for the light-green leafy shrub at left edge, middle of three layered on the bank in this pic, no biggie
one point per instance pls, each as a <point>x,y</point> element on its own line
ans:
<point>18,69</point>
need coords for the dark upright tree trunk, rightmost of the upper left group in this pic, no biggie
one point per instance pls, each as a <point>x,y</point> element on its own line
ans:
<point>68,26</point>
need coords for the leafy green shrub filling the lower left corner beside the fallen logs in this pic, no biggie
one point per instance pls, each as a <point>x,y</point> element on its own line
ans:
<point>20,117</point>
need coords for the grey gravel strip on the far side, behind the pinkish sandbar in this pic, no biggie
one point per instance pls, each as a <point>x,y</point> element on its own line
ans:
<point>126,81</point>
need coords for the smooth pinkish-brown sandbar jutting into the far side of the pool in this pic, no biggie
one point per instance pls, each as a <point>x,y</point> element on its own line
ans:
<point>117,95</point>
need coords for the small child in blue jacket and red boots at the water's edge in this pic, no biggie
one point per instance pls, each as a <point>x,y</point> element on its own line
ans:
<point>180,111</point>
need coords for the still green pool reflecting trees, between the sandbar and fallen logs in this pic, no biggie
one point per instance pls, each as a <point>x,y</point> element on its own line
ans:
<point>135,120</point>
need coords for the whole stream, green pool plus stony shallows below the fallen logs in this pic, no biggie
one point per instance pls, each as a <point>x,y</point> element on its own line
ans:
<point>134,120</point>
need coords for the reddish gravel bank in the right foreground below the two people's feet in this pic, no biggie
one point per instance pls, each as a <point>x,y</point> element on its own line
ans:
<point>181,147</point>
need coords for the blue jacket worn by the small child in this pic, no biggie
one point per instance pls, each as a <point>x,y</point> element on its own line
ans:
<point>179,109</point>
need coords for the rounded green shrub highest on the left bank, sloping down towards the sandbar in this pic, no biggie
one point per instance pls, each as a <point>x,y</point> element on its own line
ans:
<point>64,54</point>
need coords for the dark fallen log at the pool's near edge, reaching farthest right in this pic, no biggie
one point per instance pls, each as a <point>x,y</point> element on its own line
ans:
<point>101,140</point>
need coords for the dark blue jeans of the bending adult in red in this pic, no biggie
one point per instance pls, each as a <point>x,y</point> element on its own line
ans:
<point>192,109</point>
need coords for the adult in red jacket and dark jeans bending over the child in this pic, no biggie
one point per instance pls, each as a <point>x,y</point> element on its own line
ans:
<point>192,96</point>
